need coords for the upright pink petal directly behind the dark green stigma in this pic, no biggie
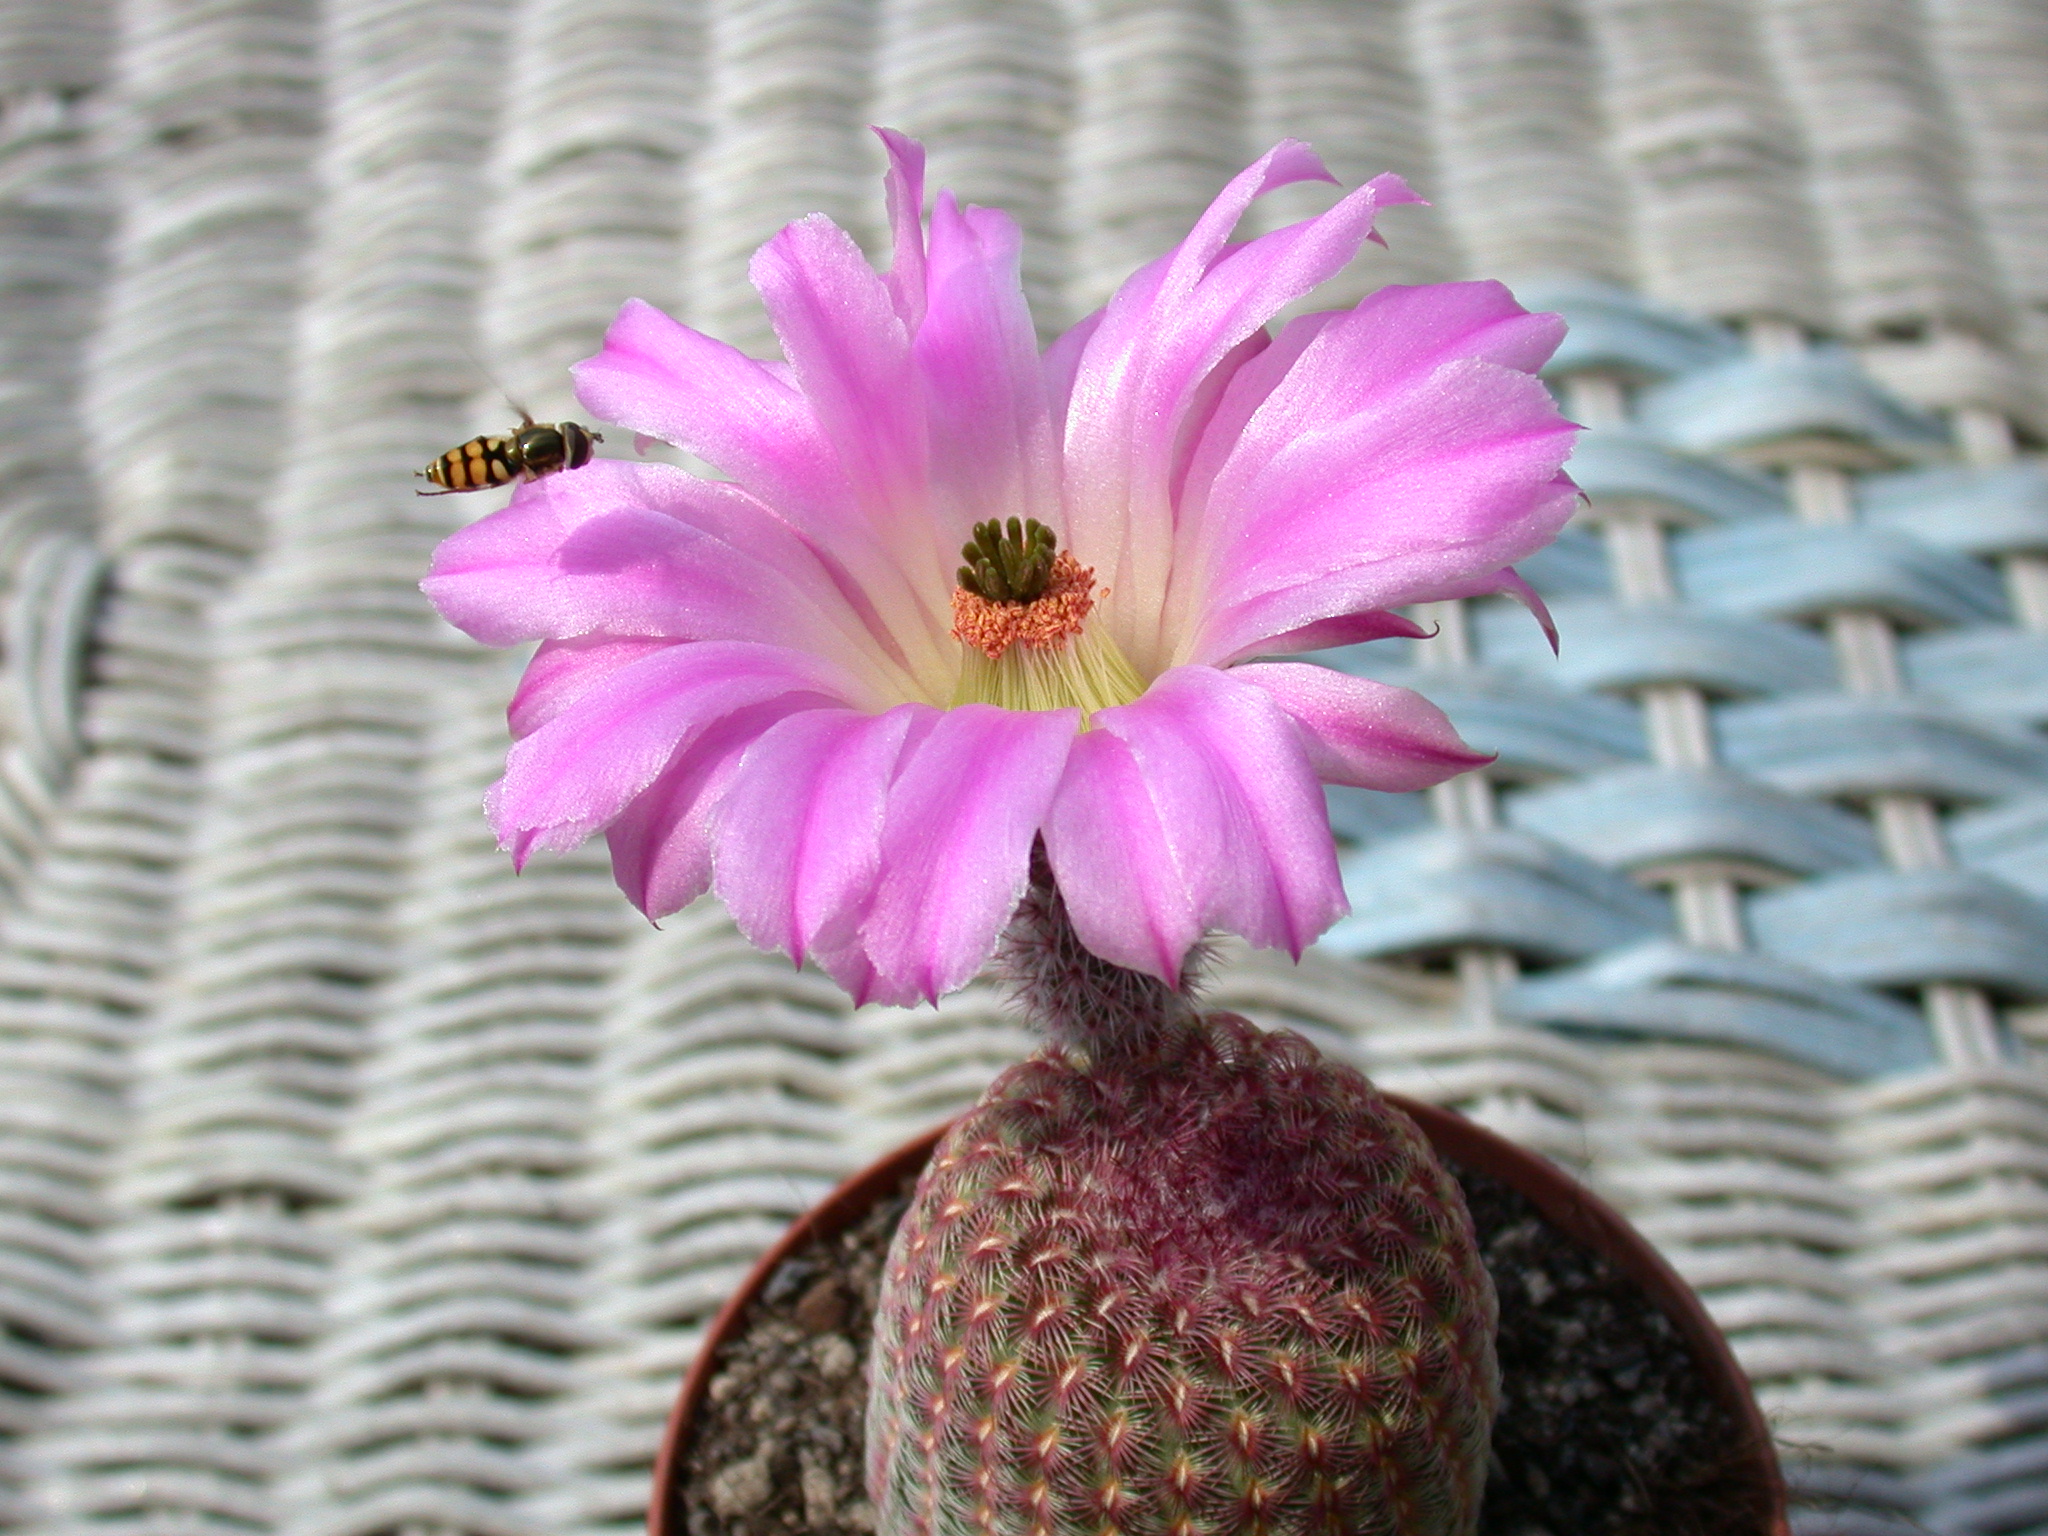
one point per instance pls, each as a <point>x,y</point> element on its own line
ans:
<point>978,355</point>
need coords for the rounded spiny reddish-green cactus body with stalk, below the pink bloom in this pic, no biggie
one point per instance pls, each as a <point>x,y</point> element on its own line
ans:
<point>1177,1277</point>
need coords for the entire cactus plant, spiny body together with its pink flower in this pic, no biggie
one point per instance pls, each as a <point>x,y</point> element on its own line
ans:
<point>970,636</point>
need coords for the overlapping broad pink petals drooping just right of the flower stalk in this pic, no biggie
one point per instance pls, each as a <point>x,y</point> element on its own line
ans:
<point>1238,837</point>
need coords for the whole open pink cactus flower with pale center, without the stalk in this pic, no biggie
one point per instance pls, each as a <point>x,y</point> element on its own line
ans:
<point>787,687</point>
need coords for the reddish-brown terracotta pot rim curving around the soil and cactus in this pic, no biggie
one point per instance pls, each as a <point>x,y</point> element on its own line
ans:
<point>1562,1199</point>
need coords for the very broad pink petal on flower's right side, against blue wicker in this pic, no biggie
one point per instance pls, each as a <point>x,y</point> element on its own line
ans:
<point>1406,452</point>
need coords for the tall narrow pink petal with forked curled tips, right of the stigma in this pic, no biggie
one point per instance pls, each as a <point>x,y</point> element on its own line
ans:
<point>1144,370</point>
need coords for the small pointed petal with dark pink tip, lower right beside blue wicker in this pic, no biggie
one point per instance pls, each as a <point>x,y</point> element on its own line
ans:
<point>1363,732</point>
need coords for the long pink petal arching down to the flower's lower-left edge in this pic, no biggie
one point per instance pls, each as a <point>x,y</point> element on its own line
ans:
<point>581,769</point>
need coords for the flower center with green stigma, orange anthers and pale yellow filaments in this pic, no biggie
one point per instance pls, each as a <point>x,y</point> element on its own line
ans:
<point>1023,615</point>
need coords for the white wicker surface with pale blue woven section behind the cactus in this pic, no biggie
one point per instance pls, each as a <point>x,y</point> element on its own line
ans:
<point>351,1187</point>
